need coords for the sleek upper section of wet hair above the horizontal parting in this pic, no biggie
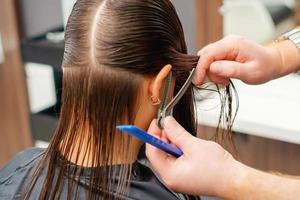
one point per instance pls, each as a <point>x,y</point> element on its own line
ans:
<point>126,34</point>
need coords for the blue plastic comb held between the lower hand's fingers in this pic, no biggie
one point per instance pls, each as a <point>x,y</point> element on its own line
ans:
<point>146,137</point>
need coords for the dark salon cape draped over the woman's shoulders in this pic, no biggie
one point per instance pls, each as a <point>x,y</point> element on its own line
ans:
<point>144,184</point>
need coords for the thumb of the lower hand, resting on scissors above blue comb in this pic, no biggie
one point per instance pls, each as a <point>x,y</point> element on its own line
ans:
<point>176,133</point>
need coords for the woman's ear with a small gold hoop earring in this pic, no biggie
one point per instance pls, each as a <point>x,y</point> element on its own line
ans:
<point>157,83</point>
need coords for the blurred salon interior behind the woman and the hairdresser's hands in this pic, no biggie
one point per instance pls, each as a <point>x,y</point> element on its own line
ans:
<point>267,127</point>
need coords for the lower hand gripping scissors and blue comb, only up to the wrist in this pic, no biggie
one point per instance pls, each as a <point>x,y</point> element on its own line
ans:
<point>205,167</point>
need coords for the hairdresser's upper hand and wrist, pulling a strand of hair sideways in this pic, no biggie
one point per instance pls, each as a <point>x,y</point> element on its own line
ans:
<point>240,58</point>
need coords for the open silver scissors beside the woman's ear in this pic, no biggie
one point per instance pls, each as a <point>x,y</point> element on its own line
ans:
<point>166,109</point>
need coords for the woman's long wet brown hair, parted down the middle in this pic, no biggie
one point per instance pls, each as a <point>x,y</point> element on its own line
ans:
<point>110,45</point>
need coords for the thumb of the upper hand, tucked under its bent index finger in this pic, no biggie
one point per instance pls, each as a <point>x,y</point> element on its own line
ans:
<point>228,69</point>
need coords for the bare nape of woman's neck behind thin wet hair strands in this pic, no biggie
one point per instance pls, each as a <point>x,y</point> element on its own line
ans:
<point>84,151</point>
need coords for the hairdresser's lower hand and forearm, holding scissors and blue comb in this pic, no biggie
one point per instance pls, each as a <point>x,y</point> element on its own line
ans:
<point>207,169</point>
